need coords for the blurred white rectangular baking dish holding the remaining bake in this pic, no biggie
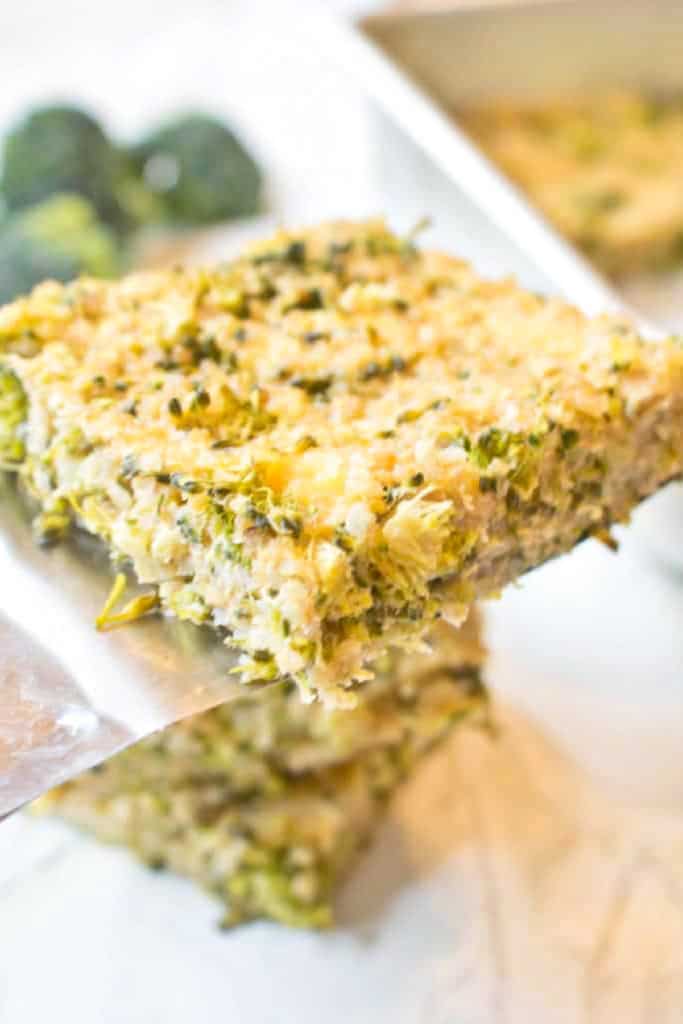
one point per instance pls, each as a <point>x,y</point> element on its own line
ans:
<point>421,68</point>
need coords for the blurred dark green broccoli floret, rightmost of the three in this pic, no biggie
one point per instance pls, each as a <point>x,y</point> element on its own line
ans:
<point>200,170</point>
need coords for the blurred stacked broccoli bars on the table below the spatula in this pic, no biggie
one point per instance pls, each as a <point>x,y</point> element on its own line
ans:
<point>267,801</point>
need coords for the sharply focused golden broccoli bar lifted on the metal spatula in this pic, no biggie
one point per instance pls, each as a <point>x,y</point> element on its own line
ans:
<point>326,445</point>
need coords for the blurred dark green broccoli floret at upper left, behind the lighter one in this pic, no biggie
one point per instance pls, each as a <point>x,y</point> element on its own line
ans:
<point>64,150</point>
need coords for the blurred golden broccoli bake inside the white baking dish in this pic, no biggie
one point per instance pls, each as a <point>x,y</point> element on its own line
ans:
<point>605,168</point>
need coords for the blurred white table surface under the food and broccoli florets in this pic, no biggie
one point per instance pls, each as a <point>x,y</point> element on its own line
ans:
<point>534,879</point>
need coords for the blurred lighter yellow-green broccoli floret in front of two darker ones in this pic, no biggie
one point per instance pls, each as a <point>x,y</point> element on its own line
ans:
<point>59,240</point>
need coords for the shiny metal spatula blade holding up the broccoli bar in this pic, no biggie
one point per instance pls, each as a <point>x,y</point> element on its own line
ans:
<point>71,697</point>
